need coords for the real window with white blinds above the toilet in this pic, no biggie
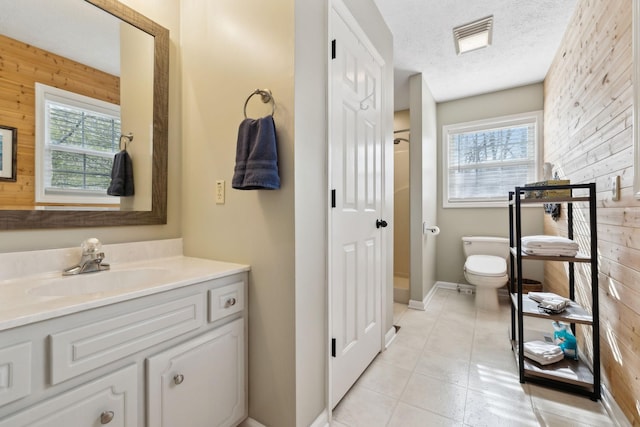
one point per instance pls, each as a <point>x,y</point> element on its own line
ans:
<point>484,160</point>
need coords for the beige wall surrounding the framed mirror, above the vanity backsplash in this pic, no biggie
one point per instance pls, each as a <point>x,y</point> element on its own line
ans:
<point>166,13</point>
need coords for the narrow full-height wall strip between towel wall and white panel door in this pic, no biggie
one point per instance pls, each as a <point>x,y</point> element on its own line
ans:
<point>311,196</point>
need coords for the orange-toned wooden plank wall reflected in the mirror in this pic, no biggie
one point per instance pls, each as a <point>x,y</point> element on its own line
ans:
<point>21,66</point>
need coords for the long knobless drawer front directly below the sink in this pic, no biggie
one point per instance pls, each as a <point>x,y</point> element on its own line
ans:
<point>82,349</point>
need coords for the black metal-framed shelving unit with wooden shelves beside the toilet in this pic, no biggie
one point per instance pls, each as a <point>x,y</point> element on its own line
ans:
<point>568,375</point>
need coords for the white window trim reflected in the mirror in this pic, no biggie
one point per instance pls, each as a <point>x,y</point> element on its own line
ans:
<point>44,194</point>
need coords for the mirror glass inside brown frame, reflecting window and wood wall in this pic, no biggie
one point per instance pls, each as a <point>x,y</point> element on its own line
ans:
<point>77,79</point>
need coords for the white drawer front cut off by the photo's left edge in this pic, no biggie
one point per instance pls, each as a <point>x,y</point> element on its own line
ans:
<point>15,372</point>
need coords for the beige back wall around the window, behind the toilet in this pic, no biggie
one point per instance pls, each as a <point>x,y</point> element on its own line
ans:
<point>458,222</point>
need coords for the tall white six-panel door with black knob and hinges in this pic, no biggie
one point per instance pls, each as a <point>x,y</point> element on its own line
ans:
<point>356,224</point>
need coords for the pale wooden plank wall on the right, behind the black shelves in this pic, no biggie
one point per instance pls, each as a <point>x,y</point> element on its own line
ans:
<point>588,137</point>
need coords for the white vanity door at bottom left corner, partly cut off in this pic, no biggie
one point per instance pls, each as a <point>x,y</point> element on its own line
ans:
<point>110,400</point>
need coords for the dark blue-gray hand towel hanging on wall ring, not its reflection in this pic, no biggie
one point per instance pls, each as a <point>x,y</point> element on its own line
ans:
<point>256,156</point>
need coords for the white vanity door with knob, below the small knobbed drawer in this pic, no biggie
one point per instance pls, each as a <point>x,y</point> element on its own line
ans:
<point>200,383</point>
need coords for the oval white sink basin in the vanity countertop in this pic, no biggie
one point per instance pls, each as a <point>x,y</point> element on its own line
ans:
<point>99,282</point>
